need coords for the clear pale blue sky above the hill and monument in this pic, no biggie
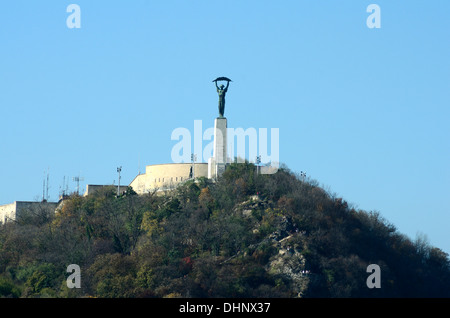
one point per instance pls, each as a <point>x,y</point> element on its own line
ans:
<point>363,111</point>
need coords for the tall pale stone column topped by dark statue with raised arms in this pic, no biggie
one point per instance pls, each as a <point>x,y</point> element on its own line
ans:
<point>216,164</point>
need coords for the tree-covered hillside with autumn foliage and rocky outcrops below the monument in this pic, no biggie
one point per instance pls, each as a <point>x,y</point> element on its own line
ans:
<point>246,235</point>
